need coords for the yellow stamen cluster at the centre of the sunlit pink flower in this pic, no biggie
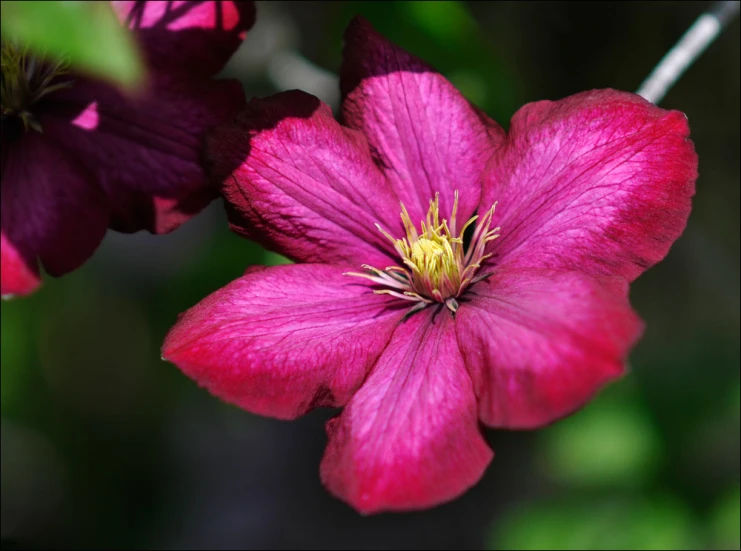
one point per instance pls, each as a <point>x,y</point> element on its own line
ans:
<point>436,266</point>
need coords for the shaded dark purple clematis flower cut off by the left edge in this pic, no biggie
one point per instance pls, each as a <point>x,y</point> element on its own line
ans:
<point>79,157</point>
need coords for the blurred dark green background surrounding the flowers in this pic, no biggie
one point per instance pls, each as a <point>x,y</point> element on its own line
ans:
<point>105,445</point>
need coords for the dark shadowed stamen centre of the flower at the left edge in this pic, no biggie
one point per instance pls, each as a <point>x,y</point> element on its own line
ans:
<point>25,80</point>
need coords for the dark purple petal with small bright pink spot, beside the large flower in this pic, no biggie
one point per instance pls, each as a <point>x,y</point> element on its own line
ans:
<point>147,151</point>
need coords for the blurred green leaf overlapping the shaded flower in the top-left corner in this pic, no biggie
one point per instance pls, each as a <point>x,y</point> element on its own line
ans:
<point>87,34</point>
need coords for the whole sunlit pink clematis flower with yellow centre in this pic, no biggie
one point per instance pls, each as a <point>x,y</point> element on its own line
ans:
<point>418,324</point>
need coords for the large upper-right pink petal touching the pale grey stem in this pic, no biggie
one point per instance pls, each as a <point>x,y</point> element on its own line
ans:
<point>600,182</point>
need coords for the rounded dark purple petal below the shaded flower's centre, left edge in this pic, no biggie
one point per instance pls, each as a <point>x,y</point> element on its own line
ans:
<point>51,207</point>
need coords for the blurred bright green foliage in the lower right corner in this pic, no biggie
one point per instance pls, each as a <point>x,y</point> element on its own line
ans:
<point>605,459</point>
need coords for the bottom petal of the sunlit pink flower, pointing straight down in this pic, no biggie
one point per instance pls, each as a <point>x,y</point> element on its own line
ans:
<point>409,437</point>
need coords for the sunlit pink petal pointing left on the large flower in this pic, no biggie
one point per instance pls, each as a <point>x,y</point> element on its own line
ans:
<point>283,340</point>
